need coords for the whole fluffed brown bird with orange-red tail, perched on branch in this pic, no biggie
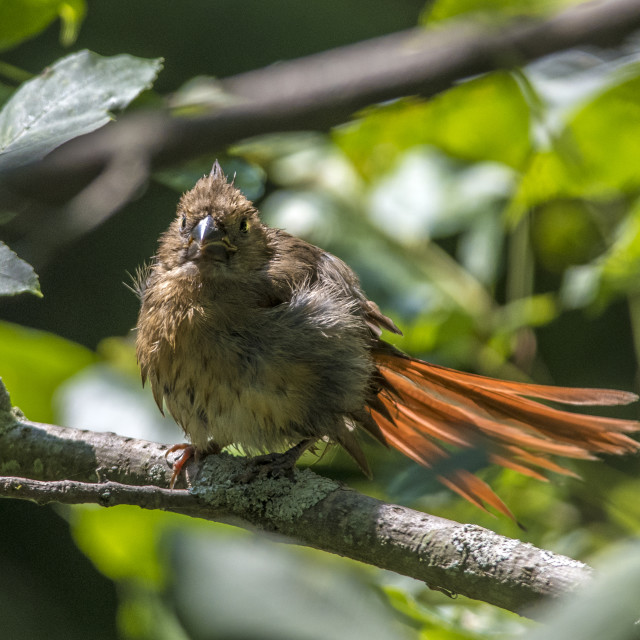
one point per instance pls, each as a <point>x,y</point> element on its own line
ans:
<point>252,337</point>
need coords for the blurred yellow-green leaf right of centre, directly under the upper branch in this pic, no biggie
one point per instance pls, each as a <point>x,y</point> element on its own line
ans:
<point>461,122</point>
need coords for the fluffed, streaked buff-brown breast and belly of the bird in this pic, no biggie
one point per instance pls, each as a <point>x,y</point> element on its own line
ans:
<point>235,371</point>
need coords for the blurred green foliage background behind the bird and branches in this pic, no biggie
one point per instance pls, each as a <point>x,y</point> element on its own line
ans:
<point>497,223</point>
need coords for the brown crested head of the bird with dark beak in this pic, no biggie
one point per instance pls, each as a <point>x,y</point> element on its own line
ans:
<point>217,230</point>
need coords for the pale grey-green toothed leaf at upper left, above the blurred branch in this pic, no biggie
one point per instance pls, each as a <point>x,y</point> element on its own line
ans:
<point>73,97</point>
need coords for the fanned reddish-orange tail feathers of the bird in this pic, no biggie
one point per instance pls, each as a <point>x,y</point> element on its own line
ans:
<point>424,410</point>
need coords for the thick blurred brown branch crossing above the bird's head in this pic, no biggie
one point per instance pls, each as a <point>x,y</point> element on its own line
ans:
<point>323,90</point>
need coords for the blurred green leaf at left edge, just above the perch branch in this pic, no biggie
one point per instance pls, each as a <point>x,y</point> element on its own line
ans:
<point>34,363</point>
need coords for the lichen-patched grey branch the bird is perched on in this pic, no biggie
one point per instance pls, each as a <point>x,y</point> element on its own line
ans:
<point>73,466</point>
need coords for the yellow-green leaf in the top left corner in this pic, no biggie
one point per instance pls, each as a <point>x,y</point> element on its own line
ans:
<point>22,19</point>
